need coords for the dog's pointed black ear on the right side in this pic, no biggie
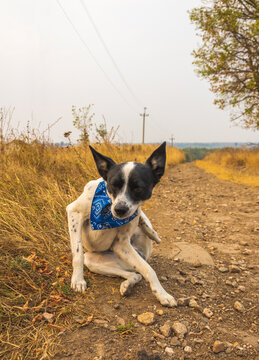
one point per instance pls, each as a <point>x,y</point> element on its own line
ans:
<point>157,162</point>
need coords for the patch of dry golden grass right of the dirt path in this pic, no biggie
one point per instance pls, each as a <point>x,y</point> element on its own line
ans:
<point>237,165</point>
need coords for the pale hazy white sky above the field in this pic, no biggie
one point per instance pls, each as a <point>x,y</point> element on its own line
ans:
<point>45,69</point>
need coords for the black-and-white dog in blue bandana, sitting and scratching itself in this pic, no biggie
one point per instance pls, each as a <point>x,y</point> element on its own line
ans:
<point>109,232</point>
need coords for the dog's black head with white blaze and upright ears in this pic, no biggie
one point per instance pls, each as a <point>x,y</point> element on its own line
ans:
<point>130,183</point>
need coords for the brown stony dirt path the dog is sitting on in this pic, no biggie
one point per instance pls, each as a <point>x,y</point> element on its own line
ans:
<point>188,208</point>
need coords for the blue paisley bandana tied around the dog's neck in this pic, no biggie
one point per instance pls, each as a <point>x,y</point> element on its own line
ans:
<point>101,217</point>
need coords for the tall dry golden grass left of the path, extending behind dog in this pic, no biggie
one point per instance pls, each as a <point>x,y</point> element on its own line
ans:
<point>36,184</point>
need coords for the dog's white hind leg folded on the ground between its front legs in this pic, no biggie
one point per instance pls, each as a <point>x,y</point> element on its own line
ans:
<point>109,264</point>
